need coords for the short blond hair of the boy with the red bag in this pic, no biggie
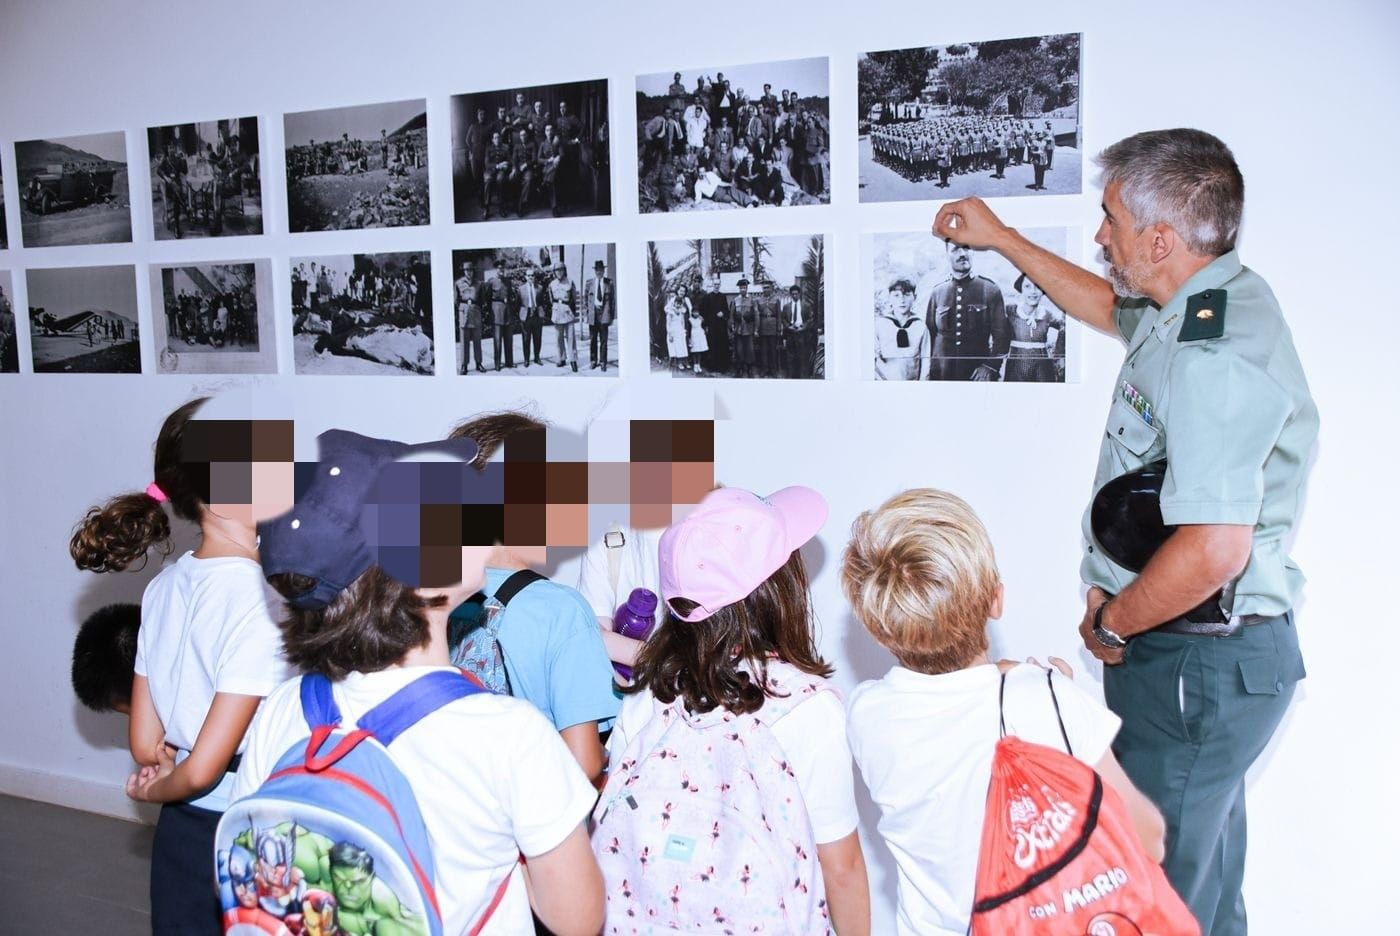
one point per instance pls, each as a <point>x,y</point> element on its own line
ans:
<point>922,577</point>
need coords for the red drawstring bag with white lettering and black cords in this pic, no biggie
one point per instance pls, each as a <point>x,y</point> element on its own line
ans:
<point>1060,854</point>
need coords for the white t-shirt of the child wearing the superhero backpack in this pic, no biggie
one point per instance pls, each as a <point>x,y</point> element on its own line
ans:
<point>492,777</point>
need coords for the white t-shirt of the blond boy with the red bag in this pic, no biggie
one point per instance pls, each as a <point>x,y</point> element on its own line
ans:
<point>925,746</point>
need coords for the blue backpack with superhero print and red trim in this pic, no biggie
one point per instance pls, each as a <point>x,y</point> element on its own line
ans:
<point>334,840</point>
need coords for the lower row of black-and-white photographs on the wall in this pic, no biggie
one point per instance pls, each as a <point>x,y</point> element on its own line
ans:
<point>747,307</point>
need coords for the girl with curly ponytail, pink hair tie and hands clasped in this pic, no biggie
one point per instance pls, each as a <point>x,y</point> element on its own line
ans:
<point>208,650</point>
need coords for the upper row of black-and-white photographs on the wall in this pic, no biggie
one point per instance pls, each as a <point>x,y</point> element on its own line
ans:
<point>997,118</point>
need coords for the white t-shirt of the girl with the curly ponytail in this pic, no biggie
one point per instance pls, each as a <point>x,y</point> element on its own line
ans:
<point>206,629</point>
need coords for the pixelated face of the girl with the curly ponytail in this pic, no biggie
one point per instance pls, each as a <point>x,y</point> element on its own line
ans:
<point>244,468</point>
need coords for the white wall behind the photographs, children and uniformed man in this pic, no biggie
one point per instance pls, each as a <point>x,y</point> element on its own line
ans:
<point>1305,96</point>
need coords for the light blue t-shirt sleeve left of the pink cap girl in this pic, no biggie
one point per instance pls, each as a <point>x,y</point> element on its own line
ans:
<point>580,674</point>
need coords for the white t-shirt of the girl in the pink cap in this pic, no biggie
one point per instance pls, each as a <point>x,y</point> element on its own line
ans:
<point>813,737</point>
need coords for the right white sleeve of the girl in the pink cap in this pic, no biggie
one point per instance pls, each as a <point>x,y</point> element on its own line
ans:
<point>814,739</point>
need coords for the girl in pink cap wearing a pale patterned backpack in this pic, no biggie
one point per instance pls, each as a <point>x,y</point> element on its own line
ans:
<point>734,679</point>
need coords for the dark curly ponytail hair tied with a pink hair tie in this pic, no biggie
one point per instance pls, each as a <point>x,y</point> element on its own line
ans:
<point>114,537</point>
